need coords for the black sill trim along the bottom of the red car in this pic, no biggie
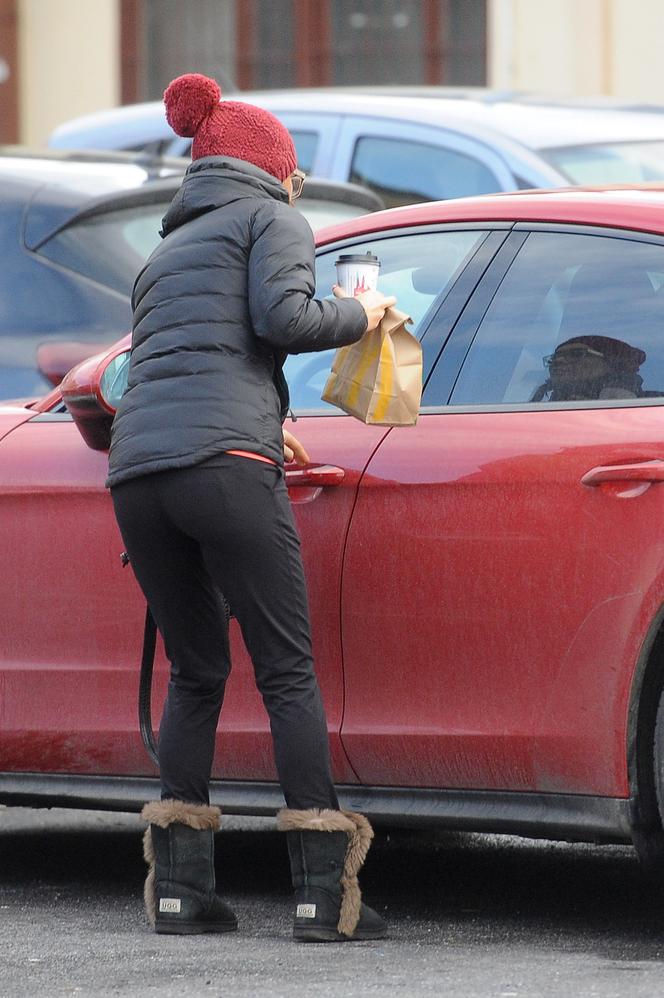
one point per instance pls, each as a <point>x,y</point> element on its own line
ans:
<point>577,817</point>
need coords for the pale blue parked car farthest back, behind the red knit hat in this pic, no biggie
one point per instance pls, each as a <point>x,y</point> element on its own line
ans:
<point>424,143</point>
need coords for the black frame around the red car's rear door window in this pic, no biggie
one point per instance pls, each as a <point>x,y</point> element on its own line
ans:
<point>452,356</point>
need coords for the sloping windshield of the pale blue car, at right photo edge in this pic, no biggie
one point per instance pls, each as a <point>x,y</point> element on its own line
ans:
<point>609,162</point>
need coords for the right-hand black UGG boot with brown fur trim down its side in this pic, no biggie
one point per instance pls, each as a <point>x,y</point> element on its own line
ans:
<point>327,849</point>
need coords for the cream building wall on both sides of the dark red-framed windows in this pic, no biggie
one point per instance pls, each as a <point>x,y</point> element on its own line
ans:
<point>65,54</point>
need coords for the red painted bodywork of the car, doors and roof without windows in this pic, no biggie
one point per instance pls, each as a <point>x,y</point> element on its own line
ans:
<point>460,641</point>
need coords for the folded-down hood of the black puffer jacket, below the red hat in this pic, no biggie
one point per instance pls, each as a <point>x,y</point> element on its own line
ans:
<point>215,181</point>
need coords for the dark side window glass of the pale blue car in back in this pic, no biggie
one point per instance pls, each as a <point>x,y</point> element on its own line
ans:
<point>405,172</point>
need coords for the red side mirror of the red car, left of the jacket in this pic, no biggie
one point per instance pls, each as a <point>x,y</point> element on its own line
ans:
<point>92,390</point>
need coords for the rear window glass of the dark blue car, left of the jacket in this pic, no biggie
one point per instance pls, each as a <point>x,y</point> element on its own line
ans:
<point>109,248</point>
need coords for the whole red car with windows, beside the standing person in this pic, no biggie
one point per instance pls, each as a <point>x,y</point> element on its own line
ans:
<point>487,588</point>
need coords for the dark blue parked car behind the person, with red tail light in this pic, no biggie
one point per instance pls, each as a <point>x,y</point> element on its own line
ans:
<point>77,228</point>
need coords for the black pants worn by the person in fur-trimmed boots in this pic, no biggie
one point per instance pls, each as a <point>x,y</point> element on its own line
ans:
<point>227,525</point>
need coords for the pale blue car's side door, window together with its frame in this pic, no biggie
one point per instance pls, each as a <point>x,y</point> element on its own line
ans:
<point>405,163</point>
